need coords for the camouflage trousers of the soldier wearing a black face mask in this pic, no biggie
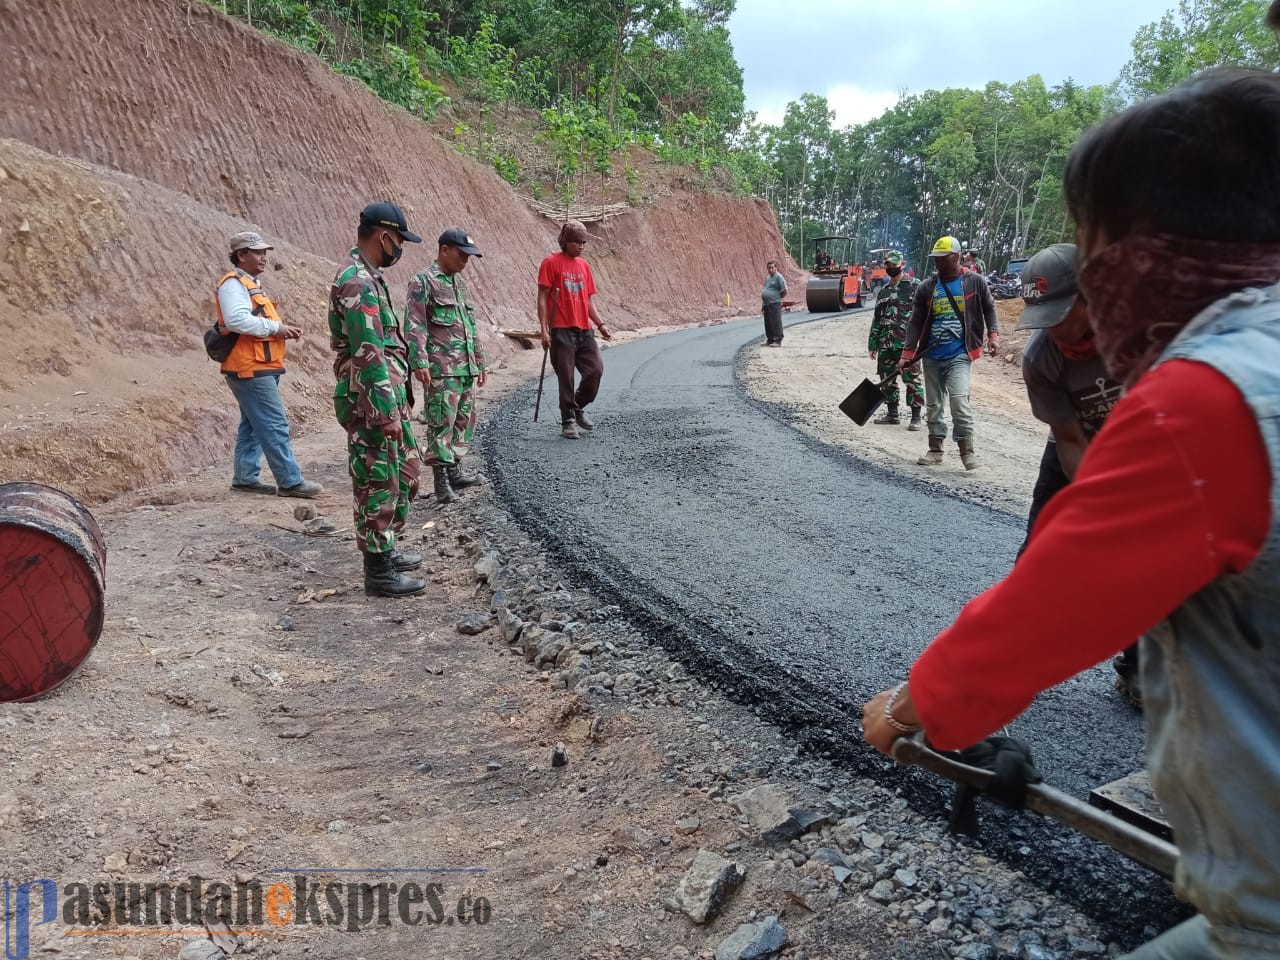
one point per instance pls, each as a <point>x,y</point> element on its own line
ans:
<point>385,482</point>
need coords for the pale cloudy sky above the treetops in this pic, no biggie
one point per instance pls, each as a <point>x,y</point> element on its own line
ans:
<point>862,56</point>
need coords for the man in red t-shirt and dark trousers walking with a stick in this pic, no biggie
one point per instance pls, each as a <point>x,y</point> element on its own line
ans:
<point>566,312</point>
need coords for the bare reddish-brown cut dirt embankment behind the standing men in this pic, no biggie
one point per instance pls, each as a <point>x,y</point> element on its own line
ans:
<point>153,130</point>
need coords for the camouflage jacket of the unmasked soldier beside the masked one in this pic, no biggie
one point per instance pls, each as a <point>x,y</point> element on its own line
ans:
<point>442,326</point>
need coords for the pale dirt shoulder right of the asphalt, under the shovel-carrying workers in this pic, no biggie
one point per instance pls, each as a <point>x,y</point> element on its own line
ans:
<point>821,363</point>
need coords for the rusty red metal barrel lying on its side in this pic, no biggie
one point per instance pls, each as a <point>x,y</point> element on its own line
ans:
<point>53,578</point>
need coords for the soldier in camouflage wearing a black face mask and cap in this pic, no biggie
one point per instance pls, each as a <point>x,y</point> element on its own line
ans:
<point>373,400</point>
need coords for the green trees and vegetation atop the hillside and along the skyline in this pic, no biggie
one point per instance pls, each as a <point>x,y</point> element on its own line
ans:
<point>606,77</point>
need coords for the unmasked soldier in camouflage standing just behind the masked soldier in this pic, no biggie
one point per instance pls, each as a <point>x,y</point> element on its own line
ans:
<point>447,358</point>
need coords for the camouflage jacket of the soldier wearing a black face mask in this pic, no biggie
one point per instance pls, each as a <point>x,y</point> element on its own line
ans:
<point>372,363</point>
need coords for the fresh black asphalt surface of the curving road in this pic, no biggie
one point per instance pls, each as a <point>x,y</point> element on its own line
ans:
<point>790,574</point>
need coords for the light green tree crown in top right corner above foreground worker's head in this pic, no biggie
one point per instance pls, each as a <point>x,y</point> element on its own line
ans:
<point>1200,35</point>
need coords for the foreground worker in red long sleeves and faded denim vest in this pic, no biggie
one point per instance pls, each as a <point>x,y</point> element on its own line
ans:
<point>1169,527</point>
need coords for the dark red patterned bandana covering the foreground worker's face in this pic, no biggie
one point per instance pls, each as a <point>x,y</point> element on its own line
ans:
<point>1144,290</point>
